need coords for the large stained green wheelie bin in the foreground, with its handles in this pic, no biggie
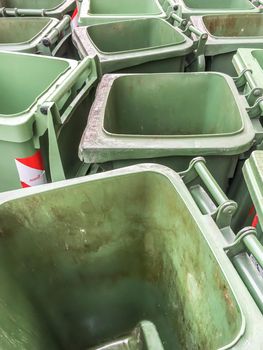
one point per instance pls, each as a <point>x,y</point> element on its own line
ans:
<point>88,259</point>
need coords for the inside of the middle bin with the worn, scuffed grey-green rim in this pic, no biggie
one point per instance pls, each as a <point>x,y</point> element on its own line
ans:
<point>165,104</point>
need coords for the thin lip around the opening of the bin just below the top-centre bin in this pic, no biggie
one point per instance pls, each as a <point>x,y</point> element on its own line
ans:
<point>183,37</point>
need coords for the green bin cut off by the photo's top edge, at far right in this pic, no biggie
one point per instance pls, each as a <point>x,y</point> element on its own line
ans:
<point>188,8</point>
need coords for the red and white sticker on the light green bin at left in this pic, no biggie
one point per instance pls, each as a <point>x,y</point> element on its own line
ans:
<point>31,170</point>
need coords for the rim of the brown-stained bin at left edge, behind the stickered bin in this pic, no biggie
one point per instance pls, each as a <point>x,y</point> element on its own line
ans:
<point>50,25</point>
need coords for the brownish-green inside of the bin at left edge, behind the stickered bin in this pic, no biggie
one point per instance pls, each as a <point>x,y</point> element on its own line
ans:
<point>20,30</point>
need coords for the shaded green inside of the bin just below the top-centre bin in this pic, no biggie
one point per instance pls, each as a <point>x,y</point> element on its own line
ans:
<point>127,35</point>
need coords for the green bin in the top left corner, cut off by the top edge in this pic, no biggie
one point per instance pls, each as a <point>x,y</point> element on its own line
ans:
<point>49,8</point>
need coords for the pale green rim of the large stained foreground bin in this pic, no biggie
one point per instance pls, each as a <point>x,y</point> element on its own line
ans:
<point>214,239</point>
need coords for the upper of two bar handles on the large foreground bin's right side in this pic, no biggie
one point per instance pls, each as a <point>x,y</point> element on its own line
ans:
<point>225,207</point>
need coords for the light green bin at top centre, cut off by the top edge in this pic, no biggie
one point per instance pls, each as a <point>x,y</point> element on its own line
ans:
<point>100,11</point>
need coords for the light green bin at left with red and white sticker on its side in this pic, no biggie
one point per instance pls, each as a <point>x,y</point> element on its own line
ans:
<point>43,109</point>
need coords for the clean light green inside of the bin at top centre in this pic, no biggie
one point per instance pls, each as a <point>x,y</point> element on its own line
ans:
<point>124,7</point>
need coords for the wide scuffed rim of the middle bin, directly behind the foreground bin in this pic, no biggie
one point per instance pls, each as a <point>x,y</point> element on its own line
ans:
<point>97,145</point>
